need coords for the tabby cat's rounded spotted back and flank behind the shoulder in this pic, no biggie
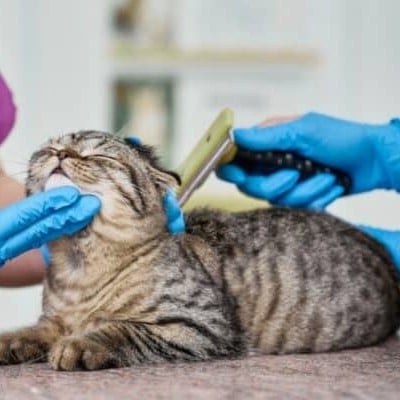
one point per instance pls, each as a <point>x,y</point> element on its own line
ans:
<point>304,281</point>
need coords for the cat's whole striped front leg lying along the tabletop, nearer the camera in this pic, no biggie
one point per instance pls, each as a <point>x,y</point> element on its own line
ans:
<point>123,343</point>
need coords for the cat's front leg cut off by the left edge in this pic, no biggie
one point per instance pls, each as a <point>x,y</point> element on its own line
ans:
<point>29,344</point>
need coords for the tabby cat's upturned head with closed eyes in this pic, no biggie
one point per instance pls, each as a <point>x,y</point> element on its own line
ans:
<point>125,176</point>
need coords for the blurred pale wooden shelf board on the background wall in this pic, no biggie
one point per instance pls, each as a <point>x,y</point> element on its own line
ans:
<point>128,60</point>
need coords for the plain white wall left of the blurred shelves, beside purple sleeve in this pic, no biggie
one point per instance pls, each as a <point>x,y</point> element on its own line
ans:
<point>54,55</point>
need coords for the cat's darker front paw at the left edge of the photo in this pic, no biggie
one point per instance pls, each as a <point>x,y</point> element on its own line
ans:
<point>16,349</point>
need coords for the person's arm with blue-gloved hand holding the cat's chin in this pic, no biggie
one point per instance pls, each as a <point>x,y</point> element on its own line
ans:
<point>27,224</point>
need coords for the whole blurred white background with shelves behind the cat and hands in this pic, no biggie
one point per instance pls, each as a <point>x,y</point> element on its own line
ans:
<point>165,68</point>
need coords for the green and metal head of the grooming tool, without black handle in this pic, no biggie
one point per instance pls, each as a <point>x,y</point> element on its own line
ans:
<point>215,147</point>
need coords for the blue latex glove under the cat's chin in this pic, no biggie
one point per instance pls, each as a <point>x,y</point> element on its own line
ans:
<point>43,217</point>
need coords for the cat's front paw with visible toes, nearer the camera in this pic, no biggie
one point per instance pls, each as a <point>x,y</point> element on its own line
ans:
<point>77,353</point>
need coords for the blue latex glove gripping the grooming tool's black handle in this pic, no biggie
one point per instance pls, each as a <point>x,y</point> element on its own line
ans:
<point>369,154</point>
